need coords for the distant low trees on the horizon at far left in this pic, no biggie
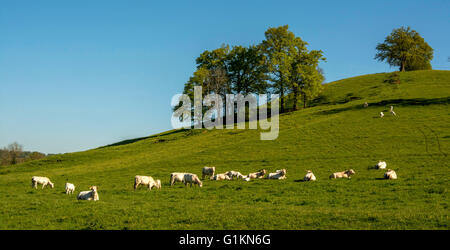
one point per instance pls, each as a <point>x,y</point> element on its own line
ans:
<point>14,154</point>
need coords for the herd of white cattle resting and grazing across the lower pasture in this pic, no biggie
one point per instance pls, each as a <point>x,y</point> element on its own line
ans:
<point>189,178</point>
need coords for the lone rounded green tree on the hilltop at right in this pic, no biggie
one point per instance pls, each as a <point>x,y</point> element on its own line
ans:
<point>406,49</point>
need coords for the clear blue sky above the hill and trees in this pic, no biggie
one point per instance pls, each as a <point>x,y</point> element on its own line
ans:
<point>81,74</point>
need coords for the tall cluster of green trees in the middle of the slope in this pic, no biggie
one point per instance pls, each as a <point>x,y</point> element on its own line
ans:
<point>280,64</point>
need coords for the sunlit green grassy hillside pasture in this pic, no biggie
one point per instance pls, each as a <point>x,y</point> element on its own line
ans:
<point>334,135</point>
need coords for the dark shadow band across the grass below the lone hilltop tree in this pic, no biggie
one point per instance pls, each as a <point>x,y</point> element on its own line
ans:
<point>397,102</point>
